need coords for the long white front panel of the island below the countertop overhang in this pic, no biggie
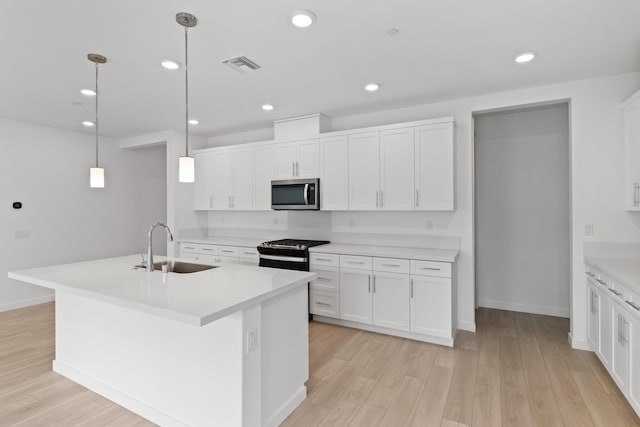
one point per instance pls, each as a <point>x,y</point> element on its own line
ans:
<point>172,373</point>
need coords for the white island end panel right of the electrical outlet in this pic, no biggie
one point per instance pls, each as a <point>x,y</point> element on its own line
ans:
<point>285,354</point>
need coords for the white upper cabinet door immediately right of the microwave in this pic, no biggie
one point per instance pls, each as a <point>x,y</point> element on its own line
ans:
<point>334,173</point>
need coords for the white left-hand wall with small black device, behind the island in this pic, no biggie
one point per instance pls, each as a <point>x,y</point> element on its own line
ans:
<point>47,169</point>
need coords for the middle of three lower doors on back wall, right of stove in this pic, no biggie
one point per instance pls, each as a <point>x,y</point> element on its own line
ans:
<point>391,302</point>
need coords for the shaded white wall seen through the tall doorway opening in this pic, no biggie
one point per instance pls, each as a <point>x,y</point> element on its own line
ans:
<point>522,215</point>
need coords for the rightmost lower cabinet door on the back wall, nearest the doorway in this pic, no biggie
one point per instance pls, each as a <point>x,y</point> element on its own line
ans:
<point>431,306</point>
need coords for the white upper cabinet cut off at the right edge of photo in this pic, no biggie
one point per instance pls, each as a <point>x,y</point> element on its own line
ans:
<point>632,146</point>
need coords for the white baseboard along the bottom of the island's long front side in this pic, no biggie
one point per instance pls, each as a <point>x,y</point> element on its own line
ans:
<point>122,399</point>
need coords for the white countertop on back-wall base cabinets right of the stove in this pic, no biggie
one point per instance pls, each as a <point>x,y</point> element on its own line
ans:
<point>387,252</point>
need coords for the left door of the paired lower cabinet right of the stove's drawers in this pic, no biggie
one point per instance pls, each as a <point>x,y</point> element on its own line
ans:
<point>355,295</point>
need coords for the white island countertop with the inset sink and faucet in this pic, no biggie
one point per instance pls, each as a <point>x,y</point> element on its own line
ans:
<point>196,298</point>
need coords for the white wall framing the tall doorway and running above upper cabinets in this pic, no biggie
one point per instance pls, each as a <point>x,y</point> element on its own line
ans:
<point>597,173</point>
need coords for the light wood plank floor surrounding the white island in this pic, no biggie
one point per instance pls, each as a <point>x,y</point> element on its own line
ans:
<point>518,370</point>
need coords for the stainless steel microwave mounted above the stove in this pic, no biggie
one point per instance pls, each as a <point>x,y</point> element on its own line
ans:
<point>295,194</point>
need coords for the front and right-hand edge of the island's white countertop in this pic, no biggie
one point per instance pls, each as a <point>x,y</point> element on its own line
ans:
<point>192,320</point>
